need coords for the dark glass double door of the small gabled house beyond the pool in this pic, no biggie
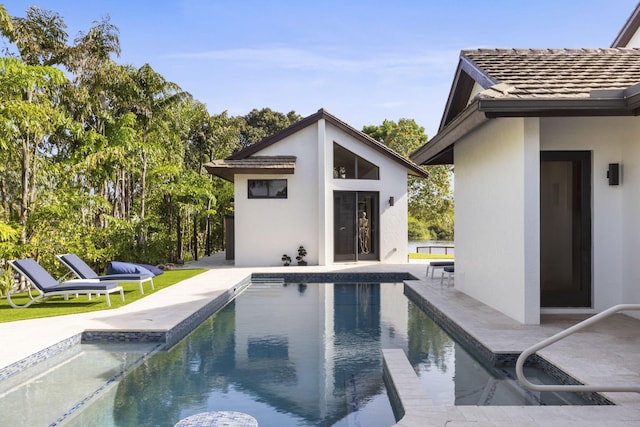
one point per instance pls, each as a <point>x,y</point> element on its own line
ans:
<point>355,217</point>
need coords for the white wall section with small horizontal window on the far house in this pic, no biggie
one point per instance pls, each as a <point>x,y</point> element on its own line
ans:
<point>265,229</point>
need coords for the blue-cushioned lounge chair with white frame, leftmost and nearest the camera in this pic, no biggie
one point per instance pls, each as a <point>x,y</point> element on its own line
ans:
<point>46,286</point>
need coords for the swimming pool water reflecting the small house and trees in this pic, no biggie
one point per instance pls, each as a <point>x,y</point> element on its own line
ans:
<point>290,355</point>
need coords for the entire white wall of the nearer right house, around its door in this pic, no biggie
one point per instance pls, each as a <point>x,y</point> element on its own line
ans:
<point>497,210</point>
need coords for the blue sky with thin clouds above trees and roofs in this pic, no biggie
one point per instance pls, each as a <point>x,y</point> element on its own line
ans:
<point>363,61</point>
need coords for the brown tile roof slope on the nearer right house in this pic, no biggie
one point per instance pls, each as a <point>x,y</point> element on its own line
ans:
<point>554,73</point>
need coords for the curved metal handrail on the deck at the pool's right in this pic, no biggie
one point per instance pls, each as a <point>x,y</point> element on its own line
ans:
<point>557,337</point>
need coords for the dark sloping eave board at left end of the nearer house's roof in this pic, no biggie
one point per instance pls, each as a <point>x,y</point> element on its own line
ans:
<point>464,123</point>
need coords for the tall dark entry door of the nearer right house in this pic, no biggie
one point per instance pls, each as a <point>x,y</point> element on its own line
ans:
<point>565,229</point>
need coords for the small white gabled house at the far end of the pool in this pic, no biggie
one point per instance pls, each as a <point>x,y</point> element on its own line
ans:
<point>323,185</point>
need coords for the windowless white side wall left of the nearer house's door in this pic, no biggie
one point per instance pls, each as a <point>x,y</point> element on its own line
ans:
<point>497,217</point>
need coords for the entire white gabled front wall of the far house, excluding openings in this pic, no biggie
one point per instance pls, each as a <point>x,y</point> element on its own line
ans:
<point>267,228</point>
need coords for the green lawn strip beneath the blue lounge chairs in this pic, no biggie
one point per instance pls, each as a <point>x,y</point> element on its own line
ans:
<point>57,306</point>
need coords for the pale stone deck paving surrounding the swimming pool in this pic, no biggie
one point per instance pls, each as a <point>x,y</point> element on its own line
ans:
<point>606,353</point>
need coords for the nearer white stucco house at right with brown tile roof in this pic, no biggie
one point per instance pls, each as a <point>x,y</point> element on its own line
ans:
<point>545,145</point>
